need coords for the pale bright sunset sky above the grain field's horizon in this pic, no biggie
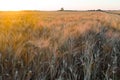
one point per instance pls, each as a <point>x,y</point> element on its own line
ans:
<point>57,4</point>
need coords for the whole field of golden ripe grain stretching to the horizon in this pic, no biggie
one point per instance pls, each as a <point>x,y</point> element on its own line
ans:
<point>59,45</point>
